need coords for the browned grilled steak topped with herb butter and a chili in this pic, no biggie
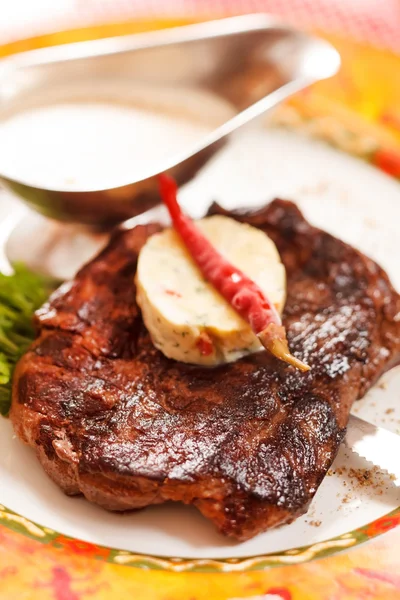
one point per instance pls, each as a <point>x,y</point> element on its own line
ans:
<point>248,443</point>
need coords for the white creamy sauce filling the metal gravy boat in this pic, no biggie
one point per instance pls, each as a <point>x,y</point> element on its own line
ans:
<point>92,144</point>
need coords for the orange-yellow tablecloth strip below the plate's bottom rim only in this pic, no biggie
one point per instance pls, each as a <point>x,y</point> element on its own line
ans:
<point>32,570</point>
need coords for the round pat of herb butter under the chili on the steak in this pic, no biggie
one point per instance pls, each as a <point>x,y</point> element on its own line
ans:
<point>186,317</point>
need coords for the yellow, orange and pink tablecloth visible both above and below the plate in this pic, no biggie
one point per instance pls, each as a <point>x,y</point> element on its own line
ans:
<point>362,102</point>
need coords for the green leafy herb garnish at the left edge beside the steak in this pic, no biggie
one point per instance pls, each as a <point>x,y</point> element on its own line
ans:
<point>20,295</point>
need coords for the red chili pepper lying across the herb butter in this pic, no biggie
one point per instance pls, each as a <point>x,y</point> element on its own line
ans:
<point>243,294</point>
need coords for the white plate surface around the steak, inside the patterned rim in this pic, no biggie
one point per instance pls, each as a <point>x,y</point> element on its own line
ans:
<point>336,192</point>
